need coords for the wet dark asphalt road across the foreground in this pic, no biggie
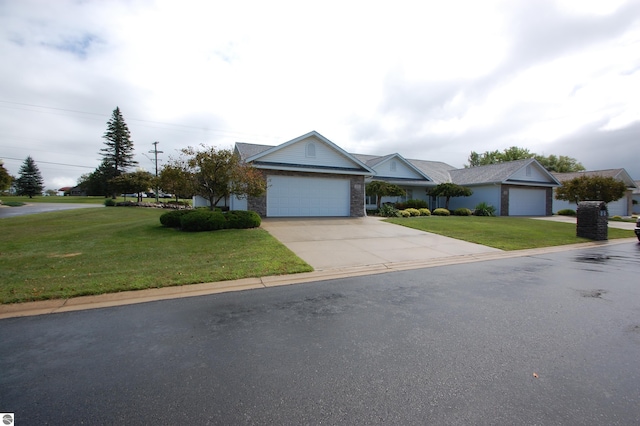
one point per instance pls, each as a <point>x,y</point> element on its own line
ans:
<point>548,339</point>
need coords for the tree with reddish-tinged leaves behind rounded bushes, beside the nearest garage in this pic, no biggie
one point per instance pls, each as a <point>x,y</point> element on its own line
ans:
<point>218,174</point>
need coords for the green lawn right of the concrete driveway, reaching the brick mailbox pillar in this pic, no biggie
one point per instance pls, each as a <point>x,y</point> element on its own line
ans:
<point>505,233</point>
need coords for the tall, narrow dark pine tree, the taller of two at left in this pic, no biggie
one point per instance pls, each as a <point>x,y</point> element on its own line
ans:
<point>119,151</point>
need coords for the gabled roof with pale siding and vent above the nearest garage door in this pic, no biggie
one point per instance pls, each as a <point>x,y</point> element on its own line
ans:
<point>272,157</point>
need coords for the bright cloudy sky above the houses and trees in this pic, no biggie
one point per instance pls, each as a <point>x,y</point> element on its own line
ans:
<point>431,80</point>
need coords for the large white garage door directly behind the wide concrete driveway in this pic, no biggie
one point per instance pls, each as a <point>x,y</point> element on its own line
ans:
<point>289,196</point>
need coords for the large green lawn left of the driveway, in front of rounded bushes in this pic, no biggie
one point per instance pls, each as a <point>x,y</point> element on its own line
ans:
<point>93,251</point>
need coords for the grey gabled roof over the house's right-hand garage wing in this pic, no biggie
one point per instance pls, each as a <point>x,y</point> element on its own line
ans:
<point>503,173</point>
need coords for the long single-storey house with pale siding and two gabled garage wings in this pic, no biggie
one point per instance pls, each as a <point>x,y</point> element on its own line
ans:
<point>312,176</point>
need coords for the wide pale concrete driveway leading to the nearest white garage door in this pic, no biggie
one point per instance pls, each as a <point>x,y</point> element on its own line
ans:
<point>333,243</point>
